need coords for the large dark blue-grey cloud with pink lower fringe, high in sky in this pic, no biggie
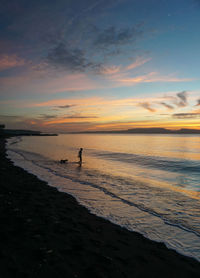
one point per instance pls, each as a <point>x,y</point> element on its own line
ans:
<point>71,57</point>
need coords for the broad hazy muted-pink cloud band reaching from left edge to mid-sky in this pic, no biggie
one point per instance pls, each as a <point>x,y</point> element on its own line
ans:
<point>32,82</point>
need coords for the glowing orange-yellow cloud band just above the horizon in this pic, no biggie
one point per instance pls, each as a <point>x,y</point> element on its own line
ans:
<point>91,122</point>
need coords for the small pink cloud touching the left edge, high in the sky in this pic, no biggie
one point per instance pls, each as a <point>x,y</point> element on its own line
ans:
<point>10,61</point>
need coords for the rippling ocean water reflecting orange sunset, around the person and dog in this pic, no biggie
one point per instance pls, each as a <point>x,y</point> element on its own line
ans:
<point>146,183</point>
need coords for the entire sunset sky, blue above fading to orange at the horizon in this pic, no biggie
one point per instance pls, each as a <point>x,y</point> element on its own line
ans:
<point>87,65</point>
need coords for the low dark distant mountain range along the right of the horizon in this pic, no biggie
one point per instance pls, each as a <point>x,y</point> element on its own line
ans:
<point>150,131</point>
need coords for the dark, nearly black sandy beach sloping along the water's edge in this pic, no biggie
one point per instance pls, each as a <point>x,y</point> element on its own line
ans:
<point>46,233</point>
